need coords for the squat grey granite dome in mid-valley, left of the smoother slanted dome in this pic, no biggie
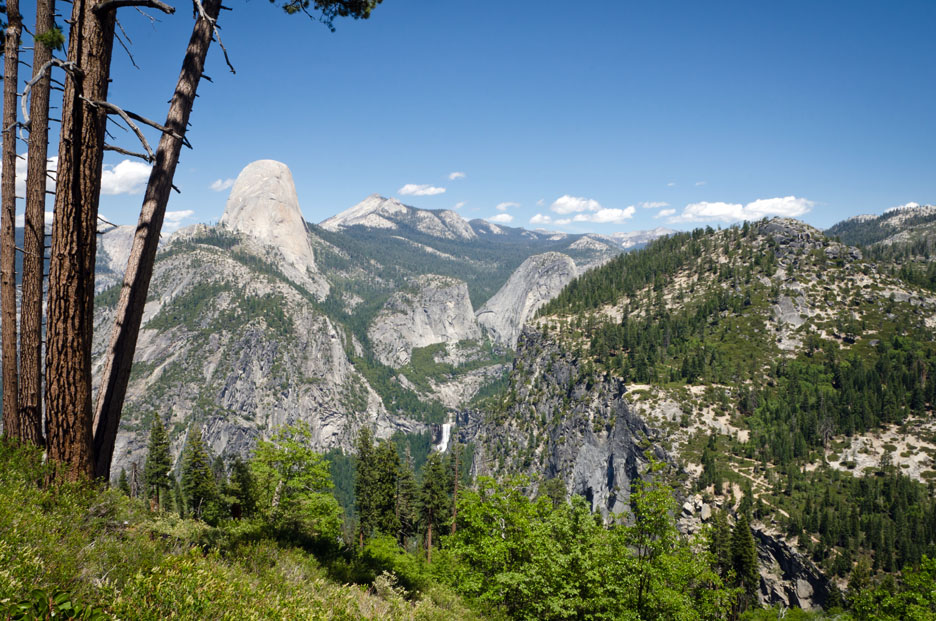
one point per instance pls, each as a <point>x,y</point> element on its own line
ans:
<point>435,309</point>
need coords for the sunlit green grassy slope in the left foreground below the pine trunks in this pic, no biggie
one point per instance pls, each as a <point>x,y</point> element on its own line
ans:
<point>93,547</point>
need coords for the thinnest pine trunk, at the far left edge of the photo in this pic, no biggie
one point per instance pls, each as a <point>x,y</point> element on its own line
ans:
<point>8,224</point>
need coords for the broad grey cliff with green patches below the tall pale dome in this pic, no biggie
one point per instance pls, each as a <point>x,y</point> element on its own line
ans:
<point>239,352</point>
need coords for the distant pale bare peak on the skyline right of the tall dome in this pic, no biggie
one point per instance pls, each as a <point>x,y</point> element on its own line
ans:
<point>379,212</point>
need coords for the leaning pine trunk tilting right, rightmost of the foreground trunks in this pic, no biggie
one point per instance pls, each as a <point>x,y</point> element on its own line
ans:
<point>133,294</point>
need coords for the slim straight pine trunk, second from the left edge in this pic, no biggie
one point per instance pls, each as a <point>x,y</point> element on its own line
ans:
<point>30,397</point>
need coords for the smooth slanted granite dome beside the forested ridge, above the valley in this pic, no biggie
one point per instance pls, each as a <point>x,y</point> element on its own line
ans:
<point>538,280</point>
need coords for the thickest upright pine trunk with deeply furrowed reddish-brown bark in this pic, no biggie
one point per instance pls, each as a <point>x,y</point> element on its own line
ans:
<point>71,266</point>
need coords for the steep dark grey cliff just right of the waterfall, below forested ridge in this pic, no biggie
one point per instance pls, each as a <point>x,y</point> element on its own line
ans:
<point>564,422</point>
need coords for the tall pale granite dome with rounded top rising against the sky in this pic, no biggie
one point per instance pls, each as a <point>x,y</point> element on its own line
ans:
<point>263,206</point>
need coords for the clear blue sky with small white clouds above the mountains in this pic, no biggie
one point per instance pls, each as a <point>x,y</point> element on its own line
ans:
<point>590,114</point>
